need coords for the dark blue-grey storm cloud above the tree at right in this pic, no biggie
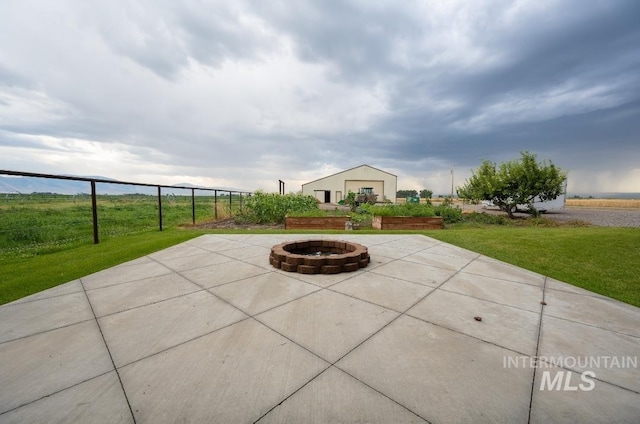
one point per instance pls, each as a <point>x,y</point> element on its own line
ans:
<point>565,58</point>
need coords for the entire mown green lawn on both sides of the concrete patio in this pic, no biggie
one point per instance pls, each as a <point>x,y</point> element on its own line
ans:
<point>603,260</point>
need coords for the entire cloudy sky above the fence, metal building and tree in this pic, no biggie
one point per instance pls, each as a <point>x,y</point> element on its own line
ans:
<point>242,93</point>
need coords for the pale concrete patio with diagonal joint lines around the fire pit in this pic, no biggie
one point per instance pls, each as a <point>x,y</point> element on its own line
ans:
<point>207,331</point>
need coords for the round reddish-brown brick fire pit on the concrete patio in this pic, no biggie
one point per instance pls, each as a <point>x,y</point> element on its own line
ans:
<point>319,256</point>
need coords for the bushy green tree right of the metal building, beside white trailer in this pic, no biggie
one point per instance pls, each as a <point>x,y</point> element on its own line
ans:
<point>513,183</point>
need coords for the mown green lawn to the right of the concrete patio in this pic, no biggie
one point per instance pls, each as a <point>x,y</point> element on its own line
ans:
<point>600,259</point>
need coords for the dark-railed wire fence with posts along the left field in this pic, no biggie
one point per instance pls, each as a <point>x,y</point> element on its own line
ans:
<point>42,212</point>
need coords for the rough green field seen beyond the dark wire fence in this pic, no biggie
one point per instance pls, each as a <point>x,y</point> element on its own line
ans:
<point>33,224</point>
